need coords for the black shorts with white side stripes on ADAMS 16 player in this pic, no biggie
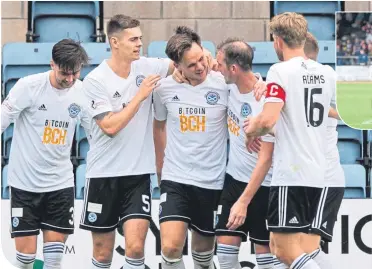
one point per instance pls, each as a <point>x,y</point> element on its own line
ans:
<point>292,209</point>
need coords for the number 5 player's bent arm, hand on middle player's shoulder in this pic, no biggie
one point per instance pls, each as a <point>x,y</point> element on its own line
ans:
<point>109,122</point>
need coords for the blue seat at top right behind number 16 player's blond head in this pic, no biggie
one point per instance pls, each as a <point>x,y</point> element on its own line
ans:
<point>320,15</point>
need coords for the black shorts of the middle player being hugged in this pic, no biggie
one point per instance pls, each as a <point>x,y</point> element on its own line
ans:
<point>191,204</point>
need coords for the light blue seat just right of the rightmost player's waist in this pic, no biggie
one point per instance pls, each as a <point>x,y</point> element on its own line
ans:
<point>355,181</point>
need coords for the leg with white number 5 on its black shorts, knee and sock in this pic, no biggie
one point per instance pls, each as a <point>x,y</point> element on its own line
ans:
<point>135,216</point>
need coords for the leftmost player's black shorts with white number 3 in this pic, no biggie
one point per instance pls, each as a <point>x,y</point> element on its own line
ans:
<point>31,211</point>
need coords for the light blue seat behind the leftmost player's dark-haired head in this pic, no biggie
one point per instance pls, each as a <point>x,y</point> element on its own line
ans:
<point>35,58</point>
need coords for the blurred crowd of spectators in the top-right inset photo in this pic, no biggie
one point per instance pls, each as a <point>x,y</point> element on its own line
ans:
<point>354,38</point>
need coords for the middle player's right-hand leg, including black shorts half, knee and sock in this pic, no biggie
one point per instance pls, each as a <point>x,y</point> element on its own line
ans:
<point>203,206</point>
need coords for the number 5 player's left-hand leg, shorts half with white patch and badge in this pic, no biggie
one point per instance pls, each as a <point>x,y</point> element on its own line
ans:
<point>100,216</point>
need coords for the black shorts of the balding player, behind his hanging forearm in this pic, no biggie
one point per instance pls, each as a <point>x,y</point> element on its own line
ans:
<point>255,222</point>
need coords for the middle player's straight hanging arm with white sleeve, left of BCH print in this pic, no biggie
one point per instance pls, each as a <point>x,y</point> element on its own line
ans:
<point>159,130</point>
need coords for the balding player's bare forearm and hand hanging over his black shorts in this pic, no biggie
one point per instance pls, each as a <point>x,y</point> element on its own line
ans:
<point>238,212</point>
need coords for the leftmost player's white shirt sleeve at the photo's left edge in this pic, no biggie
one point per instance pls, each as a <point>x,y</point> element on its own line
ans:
<point>18,99</point>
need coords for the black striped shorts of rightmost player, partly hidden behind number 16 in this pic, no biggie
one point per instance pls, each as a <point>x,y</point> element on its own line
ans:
<point>327,211</point>
